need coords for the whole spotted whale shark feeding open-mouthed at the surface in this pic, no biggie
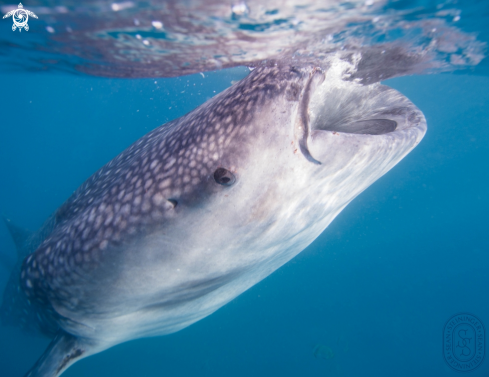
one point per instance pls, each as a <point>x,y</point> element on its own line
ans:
<point>204,207</point>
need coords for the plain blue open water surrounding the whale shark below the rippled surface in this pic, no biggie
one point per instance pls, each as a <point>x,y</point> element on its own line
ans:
<point>374,290</point>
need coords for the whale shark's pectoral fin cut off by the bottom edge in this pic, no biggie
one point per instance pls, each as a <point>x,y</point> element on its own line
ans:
<point>63,351</point>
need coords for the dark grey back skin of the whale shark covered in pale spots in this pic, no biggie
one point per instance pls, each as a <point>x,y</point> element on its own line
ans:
<point>163,174</point>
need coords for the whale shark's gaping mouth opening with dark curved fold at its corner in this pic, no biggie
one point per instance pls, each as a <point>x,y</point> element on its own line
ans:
<point>330,103</point>
